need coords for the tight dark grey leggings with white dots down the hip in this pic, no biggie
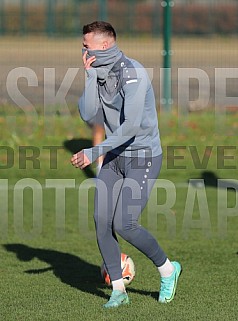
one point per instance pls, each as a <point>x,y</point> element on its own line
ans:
<point>122,191</point>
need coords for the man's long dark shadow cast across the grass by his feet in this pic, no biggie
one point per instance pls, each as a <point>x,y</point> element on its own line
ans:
<point>70,269</point>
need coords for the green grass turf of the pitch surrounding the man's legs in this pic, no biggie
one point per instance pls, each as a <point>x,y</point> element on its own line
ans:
<point>55,275</point>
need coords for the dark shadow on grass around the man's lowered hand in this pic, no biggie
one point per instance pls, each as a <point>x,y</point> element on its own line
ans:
<point>75,145</point>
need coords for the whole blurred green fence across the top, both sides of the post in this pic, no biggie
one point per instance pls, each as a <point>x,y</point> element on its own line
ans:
<point>130,17</point>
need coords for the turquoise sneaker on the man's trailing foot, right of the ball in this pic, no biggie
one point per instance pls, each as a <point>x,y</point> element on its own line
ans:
<point>169,284</point>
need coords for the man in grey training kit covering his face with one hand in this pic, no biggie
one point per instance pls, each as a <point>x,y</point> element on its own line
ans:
<point>133,155</point>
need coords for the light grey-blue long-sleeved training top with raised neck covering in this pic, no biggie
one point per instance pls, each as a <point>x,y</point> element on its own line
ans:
<point>122,88</point>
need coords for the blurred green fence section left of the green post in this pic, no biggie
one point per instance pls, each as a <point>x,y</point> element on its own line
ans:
<point>66,17</point>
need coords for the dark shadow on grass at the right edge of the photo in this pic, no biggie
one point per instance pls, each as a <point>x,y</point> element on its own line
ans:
<point>211,179</point>
